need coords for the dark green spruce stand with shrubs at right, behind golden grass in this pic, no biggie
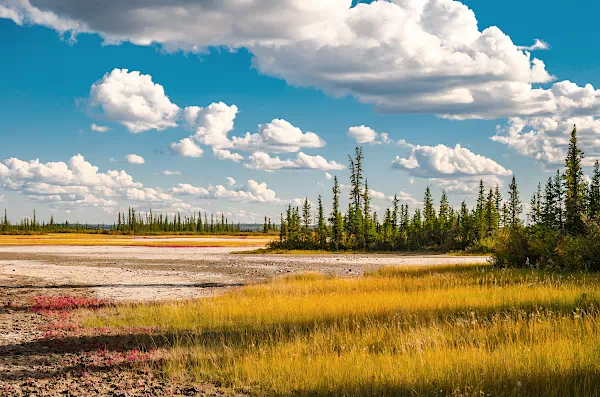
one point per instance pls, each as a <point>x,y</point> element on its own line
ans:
<point>561,229</point>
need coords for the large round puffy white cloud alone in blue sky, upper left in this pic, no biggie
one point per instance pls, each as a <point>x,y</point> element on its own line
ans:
<point>134,100</point>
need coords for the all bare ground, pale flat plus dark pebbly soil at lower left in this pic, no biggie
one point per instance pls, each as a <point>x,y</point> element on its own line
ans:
<point>32,364</point>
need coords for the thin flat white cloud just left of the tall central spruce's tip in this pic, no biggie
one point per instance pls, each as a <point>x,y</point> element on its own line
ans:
<point>262,161</point>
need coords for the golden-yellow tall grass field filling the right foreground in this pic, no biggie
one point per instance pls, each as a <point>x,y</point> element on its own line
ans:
<point>451,330</point>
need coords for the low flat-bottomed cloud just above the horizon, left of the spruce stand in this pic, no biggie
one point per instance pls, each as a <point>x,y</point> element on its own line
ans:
<point>251,192</point>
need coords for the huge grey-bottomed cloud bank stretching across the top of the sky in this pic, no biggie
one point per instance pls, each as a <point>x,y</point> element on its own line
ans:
<point>402,56</point>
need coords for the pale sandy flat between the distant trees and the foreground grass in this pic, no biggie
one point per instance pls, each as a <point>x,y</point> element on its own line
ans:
<point>165,273</point>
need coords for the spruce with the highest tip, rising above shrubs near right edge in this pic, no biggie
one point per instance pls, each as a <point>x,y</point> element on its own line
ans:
<point>575,187</point>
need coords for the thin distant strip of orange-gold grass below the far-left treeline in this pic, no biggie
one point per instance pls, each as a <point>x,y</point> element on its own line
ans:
<point>116,240</point>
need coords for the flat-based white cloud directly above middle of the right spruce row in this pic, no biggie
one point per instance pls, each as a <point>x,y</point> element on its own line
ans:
<point>445,162</point>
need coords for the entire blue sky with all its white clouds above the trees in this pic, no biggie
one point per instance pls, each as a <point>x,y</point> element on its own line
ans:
<point>243,107</point>
